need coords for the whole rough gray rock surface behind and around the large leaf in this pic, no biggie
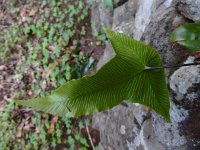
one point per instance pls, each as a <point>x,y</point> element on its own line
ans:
<point>133,126</point>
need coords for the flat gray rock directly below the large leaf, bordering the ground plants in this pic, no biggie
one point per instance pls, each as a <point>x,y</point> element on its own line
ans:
<point>118,128</point>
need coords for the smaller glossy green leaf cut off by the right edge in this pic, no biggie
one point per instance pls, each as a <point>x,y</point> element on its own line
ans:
<point>188,36</point>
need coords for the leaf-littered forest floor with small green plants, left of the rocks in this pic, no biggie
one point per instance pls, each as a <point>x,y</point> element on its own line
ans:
<point>42,46</point>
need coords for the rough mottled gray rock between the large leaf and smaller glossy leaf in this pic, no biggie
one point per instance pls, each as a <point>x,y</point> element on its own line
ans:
<point>157,35</point>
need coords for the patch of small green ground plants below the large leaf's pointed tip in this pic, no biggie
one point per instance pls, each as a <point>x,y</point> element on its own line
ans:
<point>17,133</point>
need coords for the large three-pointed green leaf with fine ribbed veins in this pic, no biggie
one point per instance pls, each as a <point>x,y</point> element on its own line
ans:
<point>126,77</point>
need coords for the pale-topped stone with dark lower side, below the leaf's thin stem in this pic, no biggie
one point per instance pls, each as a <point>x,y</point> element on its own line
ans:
<point>185,84</point>
